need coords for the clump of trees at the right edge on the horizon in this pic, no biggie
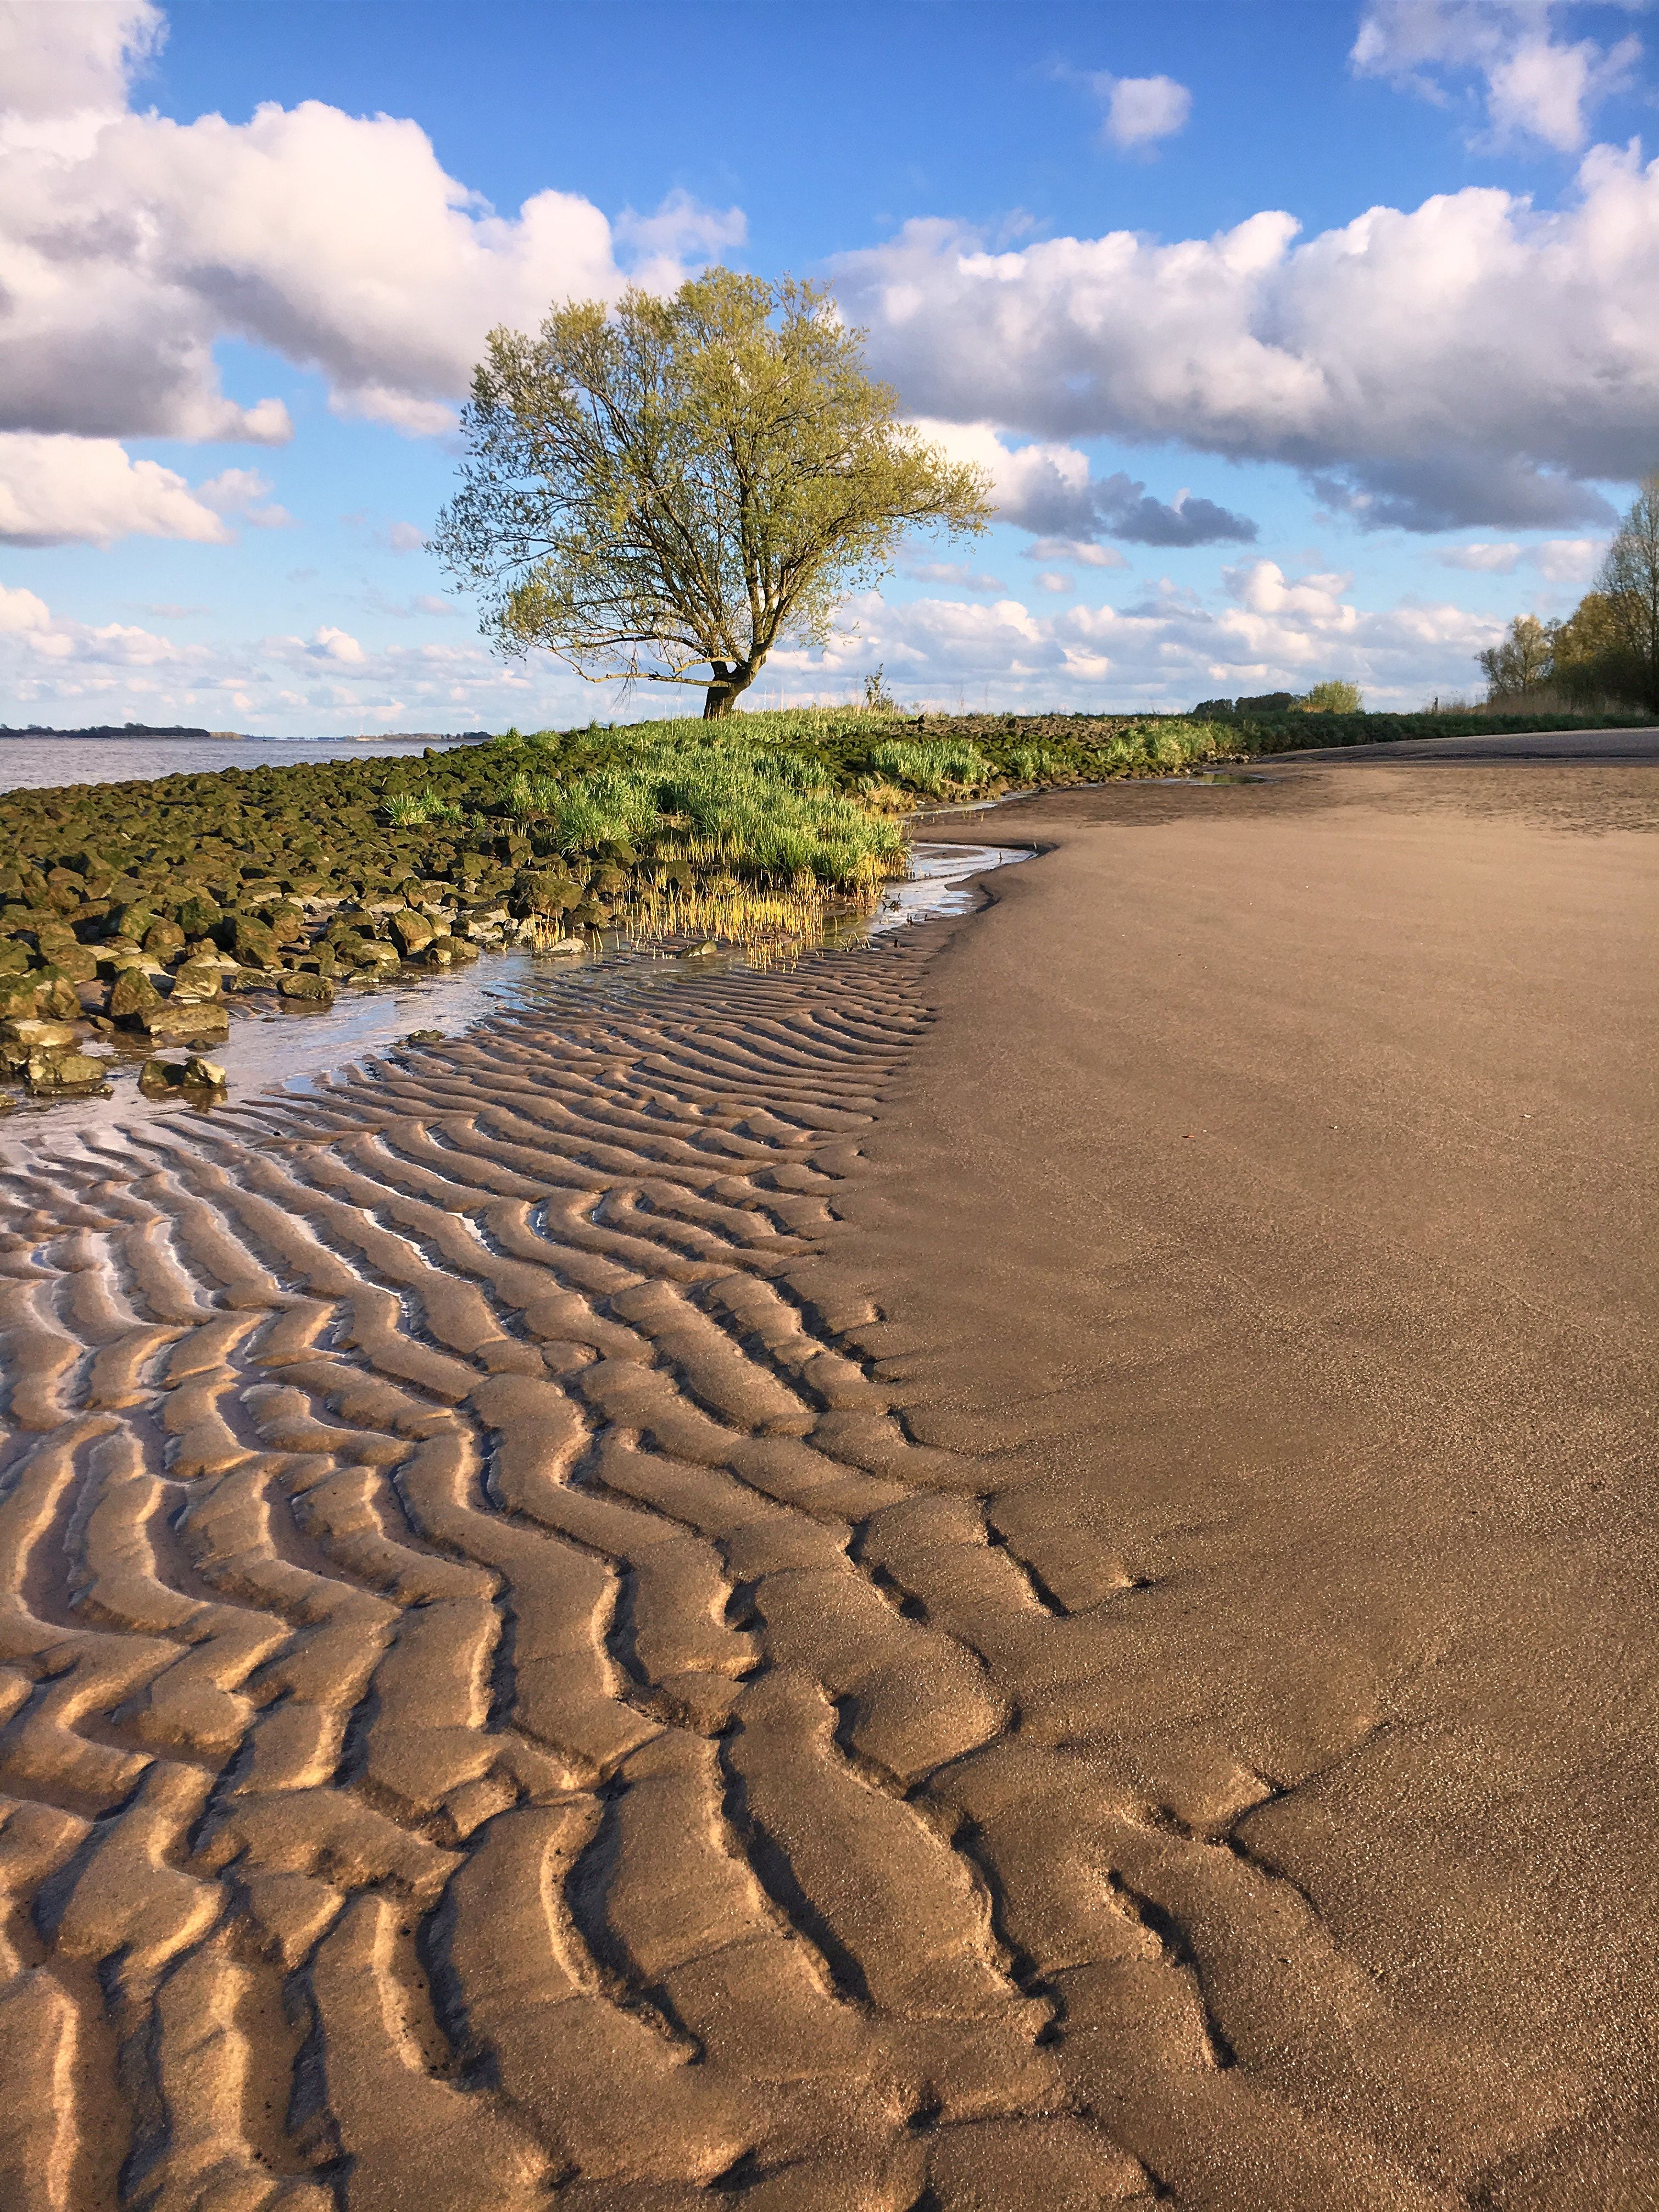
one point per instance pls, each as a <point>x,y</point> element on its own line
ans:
<point>1609,645</point>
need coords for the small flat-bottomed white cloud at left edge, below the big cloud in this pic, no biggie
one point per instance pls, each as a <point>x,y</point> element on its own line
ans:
<point>90,492</point>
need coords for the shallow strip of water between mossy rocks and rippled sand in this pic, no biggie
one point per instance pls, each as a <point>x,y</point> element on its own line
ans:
<point>300,1052</point>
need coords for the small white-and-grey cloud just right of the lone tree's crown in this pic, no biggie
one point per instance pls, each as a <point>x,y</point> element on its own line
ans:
<point>1050,490</point>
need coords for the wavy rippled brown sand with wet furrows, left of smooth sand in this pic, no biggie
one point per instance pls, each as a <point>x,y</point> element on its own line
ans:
<point>479,1653</point>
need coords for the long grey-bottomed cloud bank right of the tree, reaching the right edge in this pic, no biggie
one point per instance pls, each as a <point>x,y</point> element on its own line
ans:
<point>1463,364</point>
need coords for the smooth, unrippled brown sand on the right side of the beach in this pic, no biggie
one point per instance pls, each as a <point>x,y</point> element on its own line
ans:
<point>1273,1204</point>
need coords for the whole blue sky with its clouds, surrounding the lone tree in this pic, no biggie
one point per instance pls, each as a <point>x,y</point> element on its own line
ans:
<point>1300,342</point>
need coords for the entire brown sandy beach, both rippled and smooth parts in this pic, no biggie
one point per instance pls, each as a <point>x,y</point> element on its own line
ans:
<point>1010,1576</point>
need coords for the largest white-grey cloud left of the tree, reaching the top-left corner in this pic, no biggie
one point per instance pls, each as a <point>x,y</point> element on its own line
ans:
<point>129,244</point>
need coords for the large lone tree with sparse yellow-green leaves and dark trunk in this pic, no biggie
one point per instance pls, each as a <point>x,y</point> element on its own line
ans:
<point>665,492</point>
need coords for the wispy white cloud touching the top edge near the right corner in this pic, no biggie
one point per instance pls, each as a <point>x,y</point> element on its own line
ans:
<point>1536,85</point>
